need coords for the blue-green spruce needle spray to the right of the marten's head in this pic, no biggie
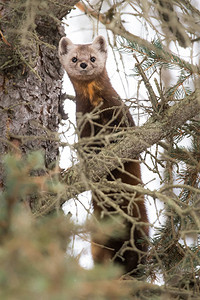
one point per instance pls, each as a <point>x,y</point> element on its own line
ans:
<point>161,58</point>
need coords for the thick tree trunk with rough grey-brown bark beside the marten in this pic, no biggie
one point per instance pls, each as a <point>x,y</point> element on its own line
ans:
<point>30,75</point>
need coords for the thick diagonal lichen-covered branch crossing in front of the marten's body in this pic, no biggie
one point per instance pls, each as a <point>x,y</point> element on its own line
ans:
<point>130,146</point>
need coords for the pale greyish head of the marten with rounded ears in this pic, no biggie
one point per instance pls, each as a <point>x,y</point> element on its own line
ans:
<point>83,62</point>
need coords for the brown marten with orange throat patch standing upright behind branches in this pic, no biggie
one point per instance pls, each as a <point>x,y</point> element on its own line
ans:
<point>85,66</point>
